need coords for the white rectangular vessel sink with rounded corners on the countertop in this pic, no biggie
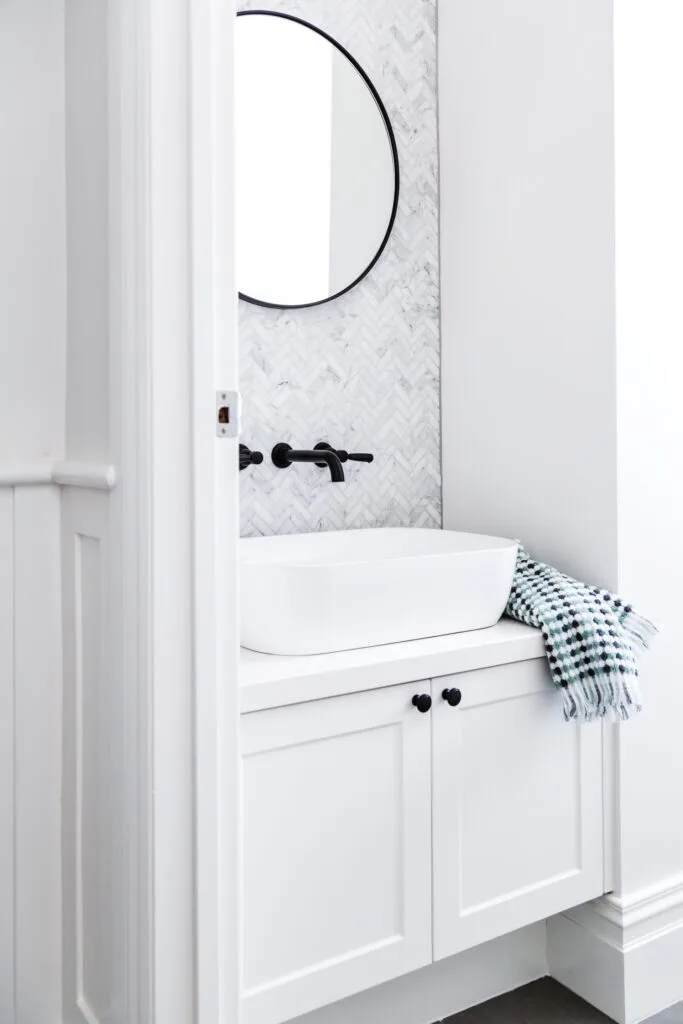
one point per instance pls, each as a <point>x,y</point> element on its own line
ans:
<point>319,593</point>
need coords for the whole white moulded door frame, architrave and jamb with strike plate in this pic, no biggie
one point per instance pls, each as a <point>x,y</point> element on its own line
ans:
<point>175,346</point>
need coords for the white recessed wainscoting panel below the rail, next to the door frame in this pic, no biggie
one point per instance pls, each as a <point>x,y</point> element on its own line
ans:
<point>95,863</point>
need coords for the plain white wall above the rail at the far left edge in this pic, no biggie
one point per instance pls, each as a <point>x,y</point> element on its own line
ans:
<point>32,231</point>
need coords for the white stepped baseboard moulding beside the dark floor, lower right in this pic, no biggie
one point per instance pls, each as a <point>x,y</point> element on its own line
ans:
<point>624,955</point>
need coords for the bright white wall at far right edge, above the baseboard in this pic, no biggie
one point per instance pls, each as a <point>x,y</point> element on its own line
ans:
<point>650,289</point>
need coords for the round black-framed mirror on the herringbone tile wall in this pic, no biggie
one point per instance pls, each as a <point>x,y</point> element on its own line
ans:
<point>317,165</point>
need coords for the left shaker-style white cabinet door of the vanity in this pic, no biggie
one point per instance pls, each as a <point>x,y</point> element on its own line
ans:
<point>337,849</point>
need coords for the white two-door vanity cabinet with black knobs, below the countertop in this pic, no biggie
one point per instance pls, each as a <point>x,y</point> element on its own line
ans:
<point>379,838</point>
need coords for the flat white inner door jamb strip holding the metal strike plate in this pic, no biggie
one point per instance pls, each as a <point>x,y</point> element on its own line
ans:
<point>217,515</point>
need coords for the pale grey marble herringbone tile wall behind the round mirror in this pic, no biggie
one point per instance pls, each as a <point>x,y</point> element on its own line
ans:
<point>362,372</point>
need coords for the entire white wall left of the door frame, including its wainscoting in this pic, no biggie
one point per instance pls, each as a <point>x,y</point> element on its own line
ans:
<point>69,856</point>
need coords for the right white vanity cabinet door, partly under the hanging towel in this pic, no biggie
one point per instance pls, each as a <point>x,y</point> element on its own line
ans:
<point>518,806</point>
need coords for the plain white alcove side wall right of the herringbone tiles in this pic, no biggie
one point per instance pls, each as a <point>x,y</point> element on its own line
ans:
<point>529,354</point>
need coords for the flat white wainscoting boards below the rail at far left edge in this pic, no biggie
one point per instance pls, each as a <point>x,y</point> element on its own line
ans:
<point>30,756</point>
